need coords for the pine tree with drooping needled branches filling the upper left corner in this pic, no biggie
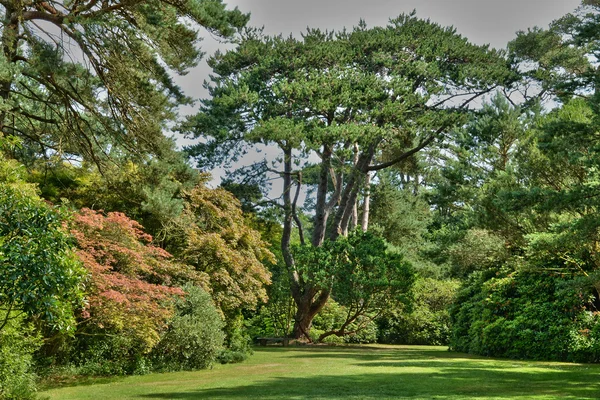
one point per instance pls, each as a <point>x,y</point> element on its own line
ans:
<point>84,78</point>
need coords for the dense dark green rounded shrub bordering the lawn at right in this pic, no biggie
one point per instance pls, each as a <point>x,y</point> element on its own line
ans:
<point>525,314</point>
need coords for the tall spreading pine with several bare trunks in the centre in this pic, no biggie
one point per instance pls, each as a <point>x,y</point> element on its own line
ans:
<point>356,101</point>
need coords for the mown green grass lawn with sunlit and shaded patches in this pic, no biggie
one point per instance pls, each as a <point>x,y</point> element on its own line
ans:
<point>368,372</point>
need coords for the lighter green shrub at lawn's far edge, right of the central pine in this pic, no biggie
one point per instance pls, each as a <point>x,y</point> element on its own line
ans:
<point>428,323</point>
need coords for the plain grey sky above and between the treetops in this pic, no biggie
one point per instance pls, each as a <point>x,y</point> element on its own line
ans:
<point>493,22</point>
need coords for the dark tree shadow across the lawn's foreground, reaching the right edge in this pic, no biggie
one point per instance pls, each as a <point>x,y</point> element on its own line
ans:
<point>441,383</point>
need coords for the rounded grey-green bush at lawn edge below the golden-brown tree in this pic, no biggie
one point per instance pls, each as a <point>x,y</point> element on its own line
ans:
<point>194,337</point>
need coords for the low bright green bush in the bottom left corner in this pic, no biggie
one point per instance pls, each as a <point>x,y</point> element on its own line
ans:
<point>18,342</point>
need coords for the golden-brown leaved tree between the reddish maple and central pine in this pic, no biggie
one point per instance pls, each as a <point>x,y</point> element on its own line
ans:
<point>219,244</point>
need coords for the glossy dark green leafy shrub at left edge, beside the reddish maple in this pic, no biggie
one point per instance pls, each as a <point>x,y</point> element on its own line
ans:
<point>39,273</point>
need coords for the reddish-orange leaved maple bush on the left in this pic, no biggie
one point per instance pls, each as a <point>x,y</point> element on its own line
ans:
<point>131,280</point>
